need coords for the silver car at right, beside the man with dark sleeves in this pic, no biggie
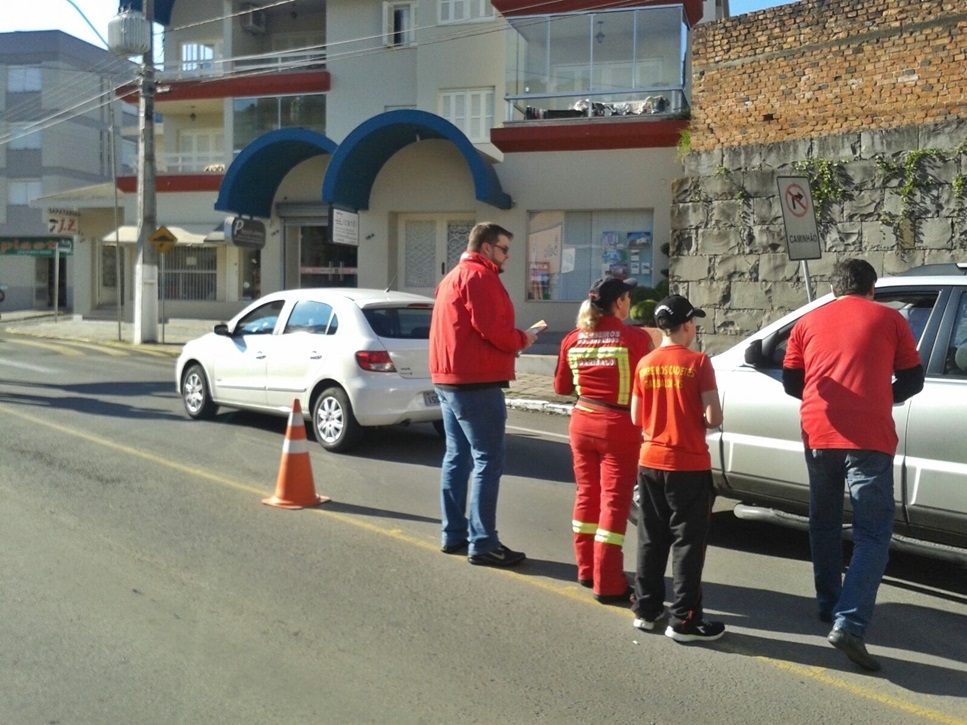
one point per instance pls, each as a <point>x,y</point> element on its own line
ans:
<point>757,456</point>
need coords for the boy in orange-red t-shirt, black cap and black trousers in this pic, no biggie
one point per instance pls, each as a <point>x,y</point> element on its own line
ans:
<point>674,400</point>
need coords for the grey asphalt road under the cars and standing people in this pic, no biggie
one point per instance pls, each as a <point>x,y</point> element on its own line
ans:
<point>144,581</point>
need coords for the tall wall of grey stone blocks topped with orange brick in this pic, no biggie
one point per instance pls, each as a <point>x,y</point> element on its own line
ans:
<point>884,149</point>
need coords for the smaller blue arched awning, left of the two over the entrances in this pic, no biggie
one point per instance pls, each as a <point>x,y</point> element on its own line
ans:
<point>253,178</point>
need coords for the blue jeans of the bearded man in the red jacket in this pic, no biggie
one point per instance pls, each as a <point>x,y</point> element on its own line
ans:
<point>474,421</point>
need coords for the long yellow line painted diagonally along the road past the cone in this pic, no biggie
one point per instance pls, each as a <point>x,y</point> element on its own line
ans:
<point>571,590</point>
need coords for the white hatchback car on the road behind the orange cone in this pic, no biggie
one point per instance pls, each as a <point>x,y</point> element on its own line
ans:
<point>352,358</point>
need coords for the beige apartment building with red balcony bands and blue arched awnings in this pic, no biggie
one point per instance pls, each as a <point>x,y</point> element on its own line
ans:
<point>366,138</point>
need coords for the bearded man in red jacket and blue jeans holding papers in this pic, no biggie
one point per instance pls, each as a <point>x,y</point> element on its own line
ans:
<point>473,347</point>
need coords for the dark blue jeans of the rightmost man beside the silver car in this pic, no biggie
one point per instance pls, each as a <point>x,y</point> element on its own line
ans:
<point>869,478</point>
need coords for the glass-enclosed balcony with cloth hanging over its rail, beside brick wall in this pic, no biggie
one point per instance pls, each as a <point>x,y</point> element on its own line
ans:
<point>617,63</point>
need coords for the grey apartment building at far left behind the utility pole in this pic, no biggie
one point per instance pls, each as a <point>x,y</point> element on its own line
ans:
<point>54,135</point>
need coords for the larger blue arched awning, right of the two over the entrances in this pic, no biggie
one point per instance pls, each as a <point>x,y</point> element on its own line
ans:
<point>358,160</point>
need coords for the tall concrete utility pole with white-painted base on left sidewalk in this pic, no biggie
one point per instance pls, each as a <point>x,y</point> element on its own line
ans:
<point>146,260</point>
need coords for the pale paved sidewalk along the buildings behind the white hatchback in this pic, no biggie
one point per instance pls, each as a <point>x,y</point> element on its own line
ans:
<point>532,390</point>
